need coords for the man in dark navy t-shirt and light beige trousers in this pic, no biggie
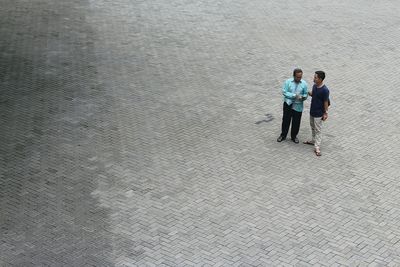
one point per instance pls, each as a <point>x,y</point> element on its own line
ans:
<point>318,110</point>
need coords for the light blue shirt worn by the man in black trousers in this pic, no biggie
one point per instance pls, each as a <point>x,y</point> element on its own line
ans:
<point>290,89</point>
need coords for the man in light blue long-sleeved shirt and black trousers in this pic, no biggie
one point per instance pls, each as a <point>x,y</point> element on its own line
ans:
<point>294,93</point>
